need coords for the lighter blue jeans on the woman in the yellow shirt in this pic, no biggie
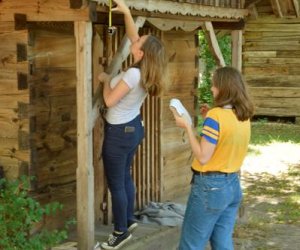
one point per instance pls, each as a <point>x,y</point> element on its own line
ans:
<point>211,212</point>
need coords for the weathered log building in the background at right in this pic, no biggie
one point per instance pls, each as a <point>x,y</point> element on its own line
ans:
<point>271,57</point>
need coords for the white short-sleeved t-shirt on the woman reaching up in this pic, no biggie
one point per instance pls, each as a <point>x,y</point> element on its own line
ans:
<point>129,106</point>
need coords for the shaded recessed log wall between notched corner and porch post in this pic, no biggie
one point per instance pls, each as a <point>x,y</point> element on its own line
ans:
<point>53,115</point>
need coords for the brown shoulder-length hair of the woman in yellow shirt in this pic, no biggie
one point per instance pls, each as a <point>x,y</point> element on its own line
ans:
<point>233,91</point>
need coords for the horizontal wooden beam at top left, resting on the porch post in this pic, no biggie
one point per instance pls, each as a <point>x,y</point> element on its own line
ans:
<point>54,10</point>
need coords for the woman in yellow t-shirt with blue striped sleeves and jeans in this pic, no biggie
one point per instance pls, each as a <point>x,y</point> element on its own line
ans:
<point>216,191</point>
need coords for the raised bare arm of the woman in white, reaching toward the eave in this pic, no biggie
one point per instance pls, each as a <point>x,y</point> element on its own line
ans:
<point>131,30</point>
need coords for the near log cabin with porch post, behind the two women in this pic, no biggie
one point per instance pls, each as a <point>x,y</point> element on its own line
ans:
<point>51,53</point>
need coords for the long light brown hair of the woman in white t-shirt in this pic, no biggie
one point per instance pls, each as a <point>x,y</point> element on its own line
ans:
<point>153,65</point>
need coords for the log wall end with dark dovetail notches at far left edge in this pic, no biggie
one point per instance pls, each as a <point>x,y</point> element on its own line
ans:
<point>14,100</point>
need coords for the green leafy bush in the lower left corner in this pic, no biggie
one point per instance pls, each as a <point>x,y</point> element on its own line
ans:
<point>19,214</point>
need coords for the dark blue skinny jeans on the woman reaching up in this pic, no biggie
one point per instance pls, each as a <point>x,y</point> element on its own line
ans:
<point>119,146</point>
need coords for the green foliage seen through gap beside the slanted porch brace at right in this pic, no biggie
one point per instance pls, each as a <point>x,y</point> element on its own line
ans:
<point>205,94</point>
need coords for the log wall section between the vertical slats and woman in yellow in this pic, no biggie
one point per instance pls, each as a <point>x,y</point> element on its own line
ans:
<point>182,71</point>
